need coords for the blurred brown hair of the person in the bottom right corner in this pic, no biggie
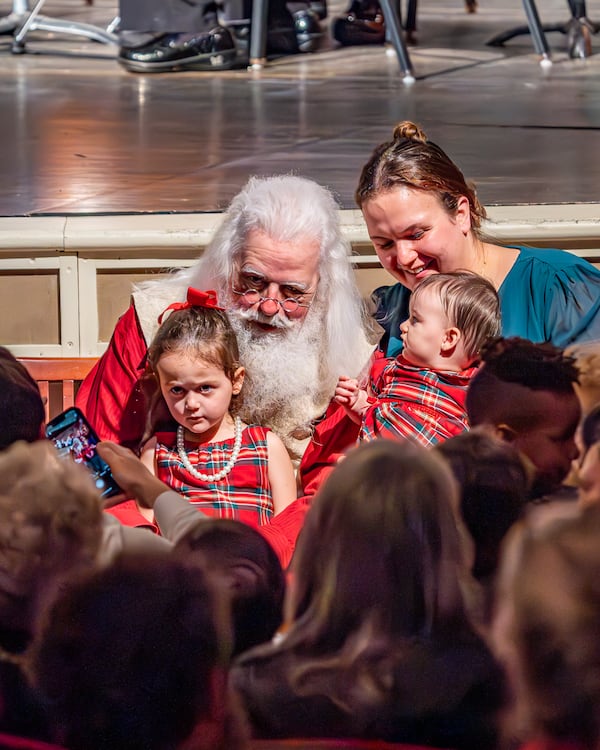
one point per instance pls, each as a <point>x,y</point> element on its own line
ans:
<point>547,626</point>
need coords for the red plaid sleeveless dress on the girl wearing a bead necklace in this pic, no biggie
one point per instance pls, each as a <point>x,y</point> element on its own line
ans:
<point>244,494</point>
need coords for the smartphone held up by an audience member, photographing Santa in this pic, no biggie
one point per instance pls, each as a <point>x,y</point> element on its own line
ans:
<point>74,438</point>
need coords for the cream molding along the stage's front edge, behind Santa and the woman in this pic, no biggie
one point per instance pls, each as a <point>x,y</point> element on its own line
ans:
<point>574,227</point>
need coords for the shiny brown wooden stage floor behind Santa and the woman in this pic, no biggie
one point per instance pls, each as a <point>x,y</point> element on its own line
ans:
<point>81,136</point>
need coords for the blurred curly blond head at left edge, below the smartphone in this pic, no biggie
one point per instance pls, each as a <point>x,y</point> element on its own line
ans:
<point>50,527</point>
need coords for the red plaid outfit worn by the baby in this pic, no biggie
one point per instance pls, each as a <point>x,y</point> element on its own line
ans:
<point>413,402</point>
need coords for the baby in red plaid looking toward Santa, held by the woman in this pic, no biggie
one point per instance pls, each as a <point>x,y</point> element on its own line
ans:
<point>421,393</point>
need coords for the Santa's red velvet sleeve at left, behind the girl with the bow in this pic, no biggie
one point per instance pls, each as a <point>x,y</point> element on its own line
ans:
<point>111,396</point>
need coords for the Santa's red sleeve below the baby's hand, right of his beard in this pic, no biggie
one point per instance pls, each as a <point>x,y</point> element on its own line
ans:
<point>333,436</point>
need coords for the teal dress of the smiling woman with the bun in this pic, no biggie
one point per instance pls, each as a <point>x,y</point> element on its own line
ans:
<point>548,295</point>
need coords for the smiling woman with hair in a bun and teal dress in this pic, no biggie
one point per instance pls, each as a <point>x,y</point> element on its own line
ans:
<point>424,218</point>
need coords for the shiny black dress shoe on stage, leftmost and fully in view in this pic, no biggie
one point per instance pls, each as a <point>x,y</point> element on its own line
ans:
<point>213,50</point>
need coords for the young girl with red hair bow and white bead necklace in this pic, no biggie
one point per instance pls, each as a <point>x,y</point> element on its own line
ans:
<point>221,465</point>
